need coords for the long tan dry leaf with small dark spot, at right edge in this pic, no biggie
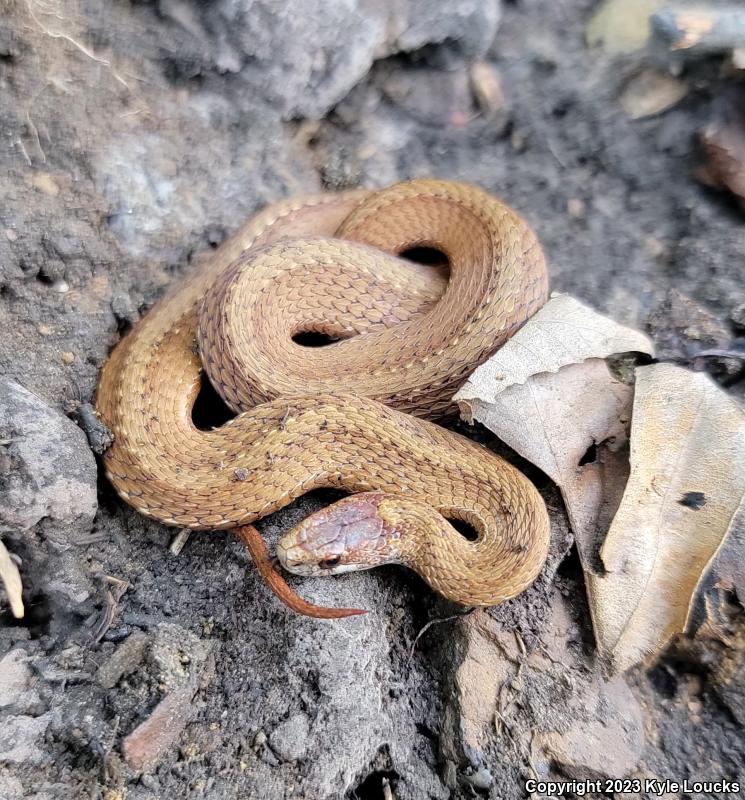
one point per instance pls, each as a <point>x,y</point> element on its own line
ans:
<point>686,486</point>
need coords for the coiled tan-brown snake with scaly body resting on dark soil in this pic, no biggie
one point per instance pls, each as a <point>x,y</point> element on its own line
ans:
<point>358,414</point>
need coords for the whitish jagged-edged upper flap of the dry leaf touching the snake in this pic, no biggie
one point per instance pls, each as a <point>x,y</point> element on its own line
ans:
<point>563,332</point>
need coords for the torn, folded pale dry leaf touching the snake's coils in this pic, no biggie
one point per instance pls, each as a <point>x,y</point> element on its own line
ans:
<point>549,395</point>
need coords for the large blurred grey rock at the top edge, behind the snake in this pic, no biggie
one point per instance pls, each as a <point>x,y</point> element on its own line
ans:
<point>306,57</point>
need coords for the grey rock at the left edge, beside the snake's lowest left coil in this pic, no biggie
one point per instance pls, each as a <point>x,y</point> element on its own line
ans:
<point>52,475</point>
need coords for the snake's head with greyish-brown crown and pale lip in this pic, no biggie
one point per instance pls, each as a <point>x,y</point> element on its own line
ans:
<point>349,535</point>
